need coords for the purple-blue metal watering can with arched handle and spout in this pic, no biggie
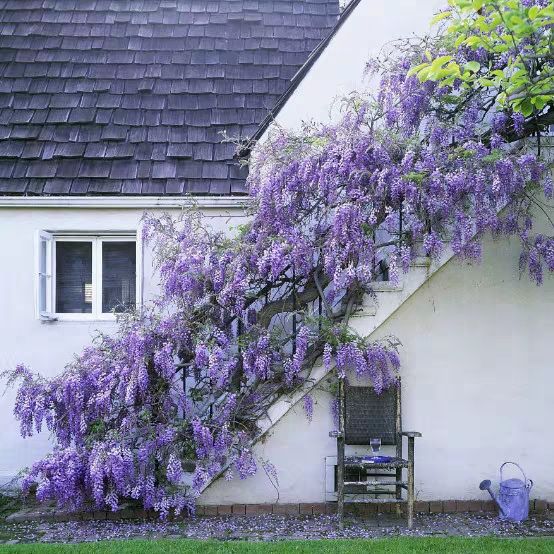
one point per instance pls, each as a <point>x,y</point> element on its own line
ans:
<point>513,496</point>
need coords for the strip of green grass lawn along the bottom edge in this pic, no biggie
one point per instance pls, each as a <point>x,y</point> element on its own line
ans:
<point>384,546</point>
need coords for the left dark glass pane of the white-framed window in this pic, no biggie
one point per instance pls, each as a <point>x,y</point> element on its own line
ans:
<point>74,277</point>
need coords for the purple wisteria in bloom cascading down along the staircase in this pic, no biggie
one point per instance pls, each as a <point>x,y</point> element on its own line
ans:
<point>243,319</point>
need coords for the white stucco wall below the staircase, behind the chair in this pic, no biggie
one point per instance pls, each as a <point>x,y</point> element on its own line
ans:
<point>477,381</point>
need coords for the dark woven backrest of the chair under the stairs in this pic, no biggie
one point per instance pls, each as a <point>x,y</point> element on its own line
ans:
<point>369,415</point>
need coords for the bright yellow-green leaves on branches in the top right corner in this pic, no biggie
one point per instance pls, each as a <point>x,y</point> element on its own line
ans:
<point>504,31</point>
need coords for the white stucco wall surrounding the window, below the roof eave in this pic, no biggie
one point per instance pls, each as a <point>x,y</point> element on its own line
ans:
<point>47,347</point>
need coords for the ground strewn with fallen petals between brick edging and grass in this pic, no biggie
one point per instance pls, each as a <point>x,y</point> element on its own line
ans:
<point>274,527</point>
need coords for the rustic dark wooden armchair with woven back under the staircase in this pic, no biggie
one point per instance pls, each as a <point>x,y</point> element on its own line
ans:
<point>363,415</point>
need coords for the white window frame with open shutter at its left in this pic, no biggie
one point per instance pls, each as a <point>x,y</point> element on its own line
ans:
<point>97,240</point>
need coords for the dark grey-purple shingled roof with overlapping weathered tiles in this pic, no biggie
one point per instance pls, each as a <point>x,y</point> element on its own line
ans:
<point>131,96</point>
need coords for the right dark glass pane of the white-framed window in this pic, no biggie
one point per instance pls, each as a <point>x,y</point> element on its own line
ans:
<point>118,276</point>
